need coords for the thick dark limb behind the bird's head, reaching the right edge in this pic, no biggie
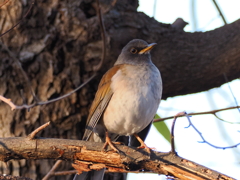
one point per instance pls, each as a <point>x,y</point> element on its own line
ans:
<point>189,62</point>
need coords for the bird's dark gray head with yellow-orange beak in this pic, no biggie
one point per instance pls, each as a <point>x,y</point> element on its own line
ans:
<point>136,52</point>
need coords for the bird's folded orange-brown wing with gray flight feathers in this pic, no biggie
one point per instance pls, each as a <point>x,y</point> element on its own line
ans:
<point>100,101</point>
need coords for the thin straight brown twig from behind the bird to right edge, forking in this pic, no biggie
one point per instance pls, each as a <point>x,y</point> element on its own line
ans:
<point>204,113</point>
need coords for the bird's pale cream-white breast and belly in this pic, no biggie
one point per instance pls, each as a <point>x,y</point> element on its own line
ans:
<point>136,96</point>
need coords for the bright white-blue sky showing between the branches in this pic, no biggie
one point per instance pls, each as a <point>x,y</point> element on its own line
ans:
<point>215,131</point>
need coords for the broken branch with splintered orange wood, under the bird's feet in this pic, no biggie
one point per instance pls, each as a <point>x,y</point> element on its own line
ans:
<point>89,153</point>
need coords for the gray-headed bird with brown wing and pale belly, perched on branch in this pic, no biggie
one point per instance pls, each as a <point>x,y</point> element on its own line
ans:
<point>126,101</point>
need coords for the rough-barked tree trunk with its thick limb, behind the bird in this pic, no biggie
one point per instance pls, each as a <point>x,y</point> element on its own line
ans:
<point>58,46</point>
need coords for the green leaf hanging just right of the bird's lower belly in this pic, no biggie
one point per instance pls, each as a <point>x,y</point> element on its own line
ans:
<point>162,128</point>
